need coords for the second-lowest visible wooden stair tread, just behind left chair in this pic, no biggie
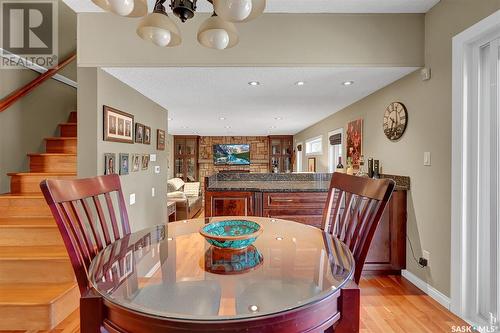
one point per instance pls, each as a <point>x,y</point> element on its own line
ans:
<point>33,253</point>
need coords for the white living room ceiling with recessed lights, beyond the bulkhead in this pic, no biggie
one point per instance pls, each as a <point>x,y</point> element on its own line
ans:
<point>198,97</point>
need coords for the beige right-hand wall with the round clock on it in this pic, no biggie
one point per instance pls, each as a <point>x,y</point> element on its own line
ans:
<point>429,129</point>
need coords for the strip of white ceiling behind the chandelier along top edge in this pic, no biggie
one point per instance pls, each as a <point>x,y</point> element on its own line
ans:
<point>307,6</point>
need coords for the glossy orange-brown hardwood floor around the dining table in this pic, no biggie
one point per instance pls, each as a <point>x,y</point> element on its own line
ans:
<point>389,304</point>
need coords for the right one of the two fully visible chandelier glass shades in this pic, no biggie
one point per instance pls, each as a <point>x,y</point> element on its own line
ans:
<point>218,34</point>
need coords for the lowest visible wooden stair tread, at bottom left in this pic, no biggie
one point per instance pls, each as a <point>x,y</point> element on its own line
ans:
<point>33,293</point>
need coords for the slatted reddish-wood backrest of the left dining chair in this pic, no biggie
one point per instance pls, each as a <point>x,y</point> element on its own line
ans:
<point>86,212</point>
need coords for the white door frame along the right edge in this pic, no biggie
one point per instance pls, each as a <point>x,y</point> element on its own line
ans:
<point>463,171</point>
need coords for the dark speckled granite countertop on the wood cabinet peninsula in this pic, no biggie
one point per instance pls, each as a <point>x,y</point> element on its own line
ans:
<point>278,183</point>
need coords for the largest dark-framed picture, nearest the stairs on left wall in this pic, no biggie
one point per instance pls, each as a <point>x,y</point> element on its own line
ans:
<point>117,125</point>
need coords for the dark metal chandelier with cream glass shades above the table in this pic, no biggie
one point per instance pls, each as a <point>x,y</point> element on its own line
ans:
<point>217,32</point>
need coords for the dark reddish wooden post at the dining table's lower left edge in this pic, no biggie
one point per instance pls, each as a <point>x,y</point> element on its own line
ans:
<point>91,312</point>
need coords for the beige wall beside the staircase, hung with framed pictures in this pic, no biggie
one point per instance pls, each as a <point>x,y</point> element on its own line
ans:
<point>97,88</point>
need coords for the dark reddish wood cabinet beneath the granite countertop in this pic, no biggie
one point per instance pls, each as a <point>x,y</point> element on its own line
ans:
<point>387,254</point>
